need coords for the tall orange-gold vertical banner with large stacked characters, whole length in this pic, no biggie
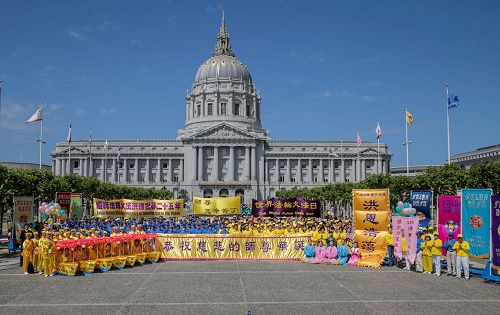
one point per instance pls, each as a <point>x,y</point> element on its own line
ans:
<point>371,223</point>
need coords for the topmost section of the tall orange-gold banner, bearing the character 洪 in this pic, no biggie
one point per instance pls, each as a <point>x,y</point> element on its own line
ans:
<point>370,199</point>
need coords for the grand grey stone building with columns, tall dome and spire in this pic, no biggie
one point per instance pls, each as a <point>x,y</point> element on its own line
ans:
<point>222,149</point>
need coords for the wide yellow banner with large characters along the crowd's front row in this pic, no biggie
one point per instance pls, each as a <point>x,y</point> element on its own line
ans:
<point>214,247</point>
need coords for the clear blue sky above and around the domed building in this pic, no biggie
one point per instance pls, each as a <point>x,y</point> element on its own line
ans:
<point>325,69</point>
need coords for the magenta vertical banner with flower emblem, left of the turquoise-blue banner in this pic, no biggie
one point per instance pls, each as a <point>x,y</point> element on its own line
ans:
<point>449,217</point>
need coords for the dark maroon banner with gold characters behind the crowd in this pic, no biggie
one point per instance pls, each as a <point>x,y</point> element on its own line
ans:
<point>293,207</point>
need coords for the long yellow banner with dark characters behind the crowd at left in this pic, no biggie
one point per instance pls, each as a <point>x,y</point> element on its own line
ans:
<point>129,208</point>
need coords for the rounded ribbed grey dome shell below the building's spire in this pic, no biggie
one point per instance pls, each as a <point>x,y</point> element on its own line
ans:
<point>223,67</point>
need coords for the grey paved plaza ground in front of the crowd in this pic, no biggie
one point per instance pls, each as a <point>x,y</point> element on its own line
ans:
<point>236,287</point>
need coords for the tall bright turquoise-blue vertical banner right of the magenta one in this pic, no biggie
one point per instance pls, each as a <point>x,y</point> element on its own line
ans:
<point>476,205</point>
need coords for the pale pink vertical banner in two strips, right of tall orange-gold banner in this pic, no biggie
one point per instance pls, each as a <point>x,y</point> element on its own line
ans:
<point>409,227</point>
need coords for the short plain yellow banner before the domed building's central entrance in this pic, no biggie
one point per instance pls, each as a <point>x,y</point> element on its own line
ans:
<point>217,206</point>
